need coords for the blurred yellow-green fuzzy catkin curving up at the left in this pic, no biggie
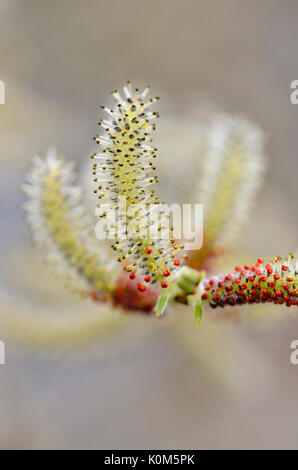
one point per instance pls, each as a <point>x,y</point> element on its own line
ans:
<point>60,225</point>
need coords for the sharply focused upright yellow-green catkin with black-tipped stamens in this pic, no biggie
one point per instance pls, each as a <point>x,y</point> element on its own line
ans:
<point>123,174</point>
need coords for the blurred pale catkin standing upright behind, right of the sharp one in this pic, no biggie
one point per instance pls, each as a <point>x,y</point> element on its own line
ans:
<point>231,177</point>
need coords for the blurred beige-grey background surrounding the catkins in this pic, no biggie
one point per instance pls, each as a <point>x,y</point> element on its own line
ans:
<point>151,385</point>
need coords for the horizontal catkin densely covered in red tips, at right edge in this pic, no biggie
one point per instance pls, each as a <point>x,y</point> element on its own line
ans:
<point>276,282</point>
